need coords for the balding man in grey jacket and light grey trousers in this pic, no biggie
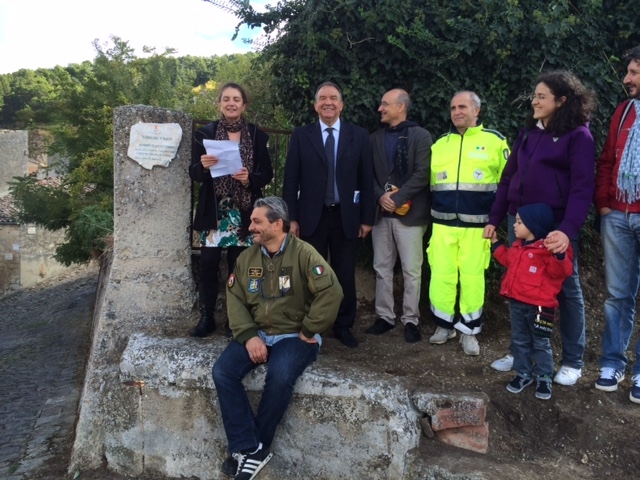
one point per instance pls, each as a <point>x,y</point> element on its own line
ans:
<point>401,159</point>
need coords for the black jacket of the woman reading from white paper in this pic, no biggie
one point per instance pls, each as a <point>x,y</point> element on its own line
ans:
<point>261,175</point>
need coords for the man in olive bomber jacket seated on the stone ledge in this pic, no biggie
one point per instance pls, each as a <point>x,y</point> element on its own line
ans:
<point>280,297</point>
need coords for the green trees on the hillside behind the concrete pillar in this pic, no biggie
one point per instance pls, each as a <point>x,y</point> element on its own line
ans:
<point>76,104</point>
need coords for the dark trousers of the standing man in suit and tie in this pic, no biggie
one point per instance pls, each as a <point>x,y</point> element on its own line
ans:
<point>330,242</point>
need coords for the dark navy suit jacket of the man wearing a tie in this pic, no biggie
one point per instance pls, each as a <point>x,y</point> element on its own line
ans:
<point>306,172</point>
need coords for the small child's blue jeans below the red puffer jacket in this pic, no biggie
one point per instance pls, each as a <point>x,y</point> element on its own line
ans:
<point>526,346</point>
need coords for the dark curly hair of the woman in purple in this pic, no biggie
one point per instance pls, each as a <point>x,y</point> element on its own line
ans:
<point>579,104</point>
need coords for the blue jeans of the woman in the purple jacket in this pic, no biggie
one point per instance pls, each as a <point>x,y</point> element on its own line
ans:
<point>572,321</point>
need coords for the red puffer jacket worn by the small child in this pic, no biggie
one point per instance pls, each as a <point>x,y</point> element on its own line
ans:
<point>534,275</point>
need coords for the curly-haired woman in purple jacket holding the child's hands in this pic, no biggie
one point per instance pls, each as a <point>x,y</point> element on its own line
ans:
<point>552,161</point>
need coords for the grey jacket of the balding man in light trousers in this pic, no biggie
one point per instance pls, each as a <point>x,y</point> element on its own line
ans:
<point>416,186</point>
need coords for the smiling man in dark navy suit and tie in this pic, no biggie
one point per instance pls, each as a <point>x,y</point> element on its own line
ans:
<point>328,187</point>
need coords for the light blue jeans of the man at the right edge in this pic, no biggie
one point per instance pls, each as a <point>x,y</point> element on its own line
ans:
<point>621,242</point>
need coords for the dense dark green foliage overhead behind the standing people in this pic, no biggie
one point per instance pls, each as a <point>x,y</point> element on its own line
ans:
<point>434,48</point>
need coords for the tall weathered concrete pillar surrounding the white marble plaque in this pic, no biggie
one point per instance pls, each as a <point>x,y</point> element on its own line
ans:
<point>149,286</point>
